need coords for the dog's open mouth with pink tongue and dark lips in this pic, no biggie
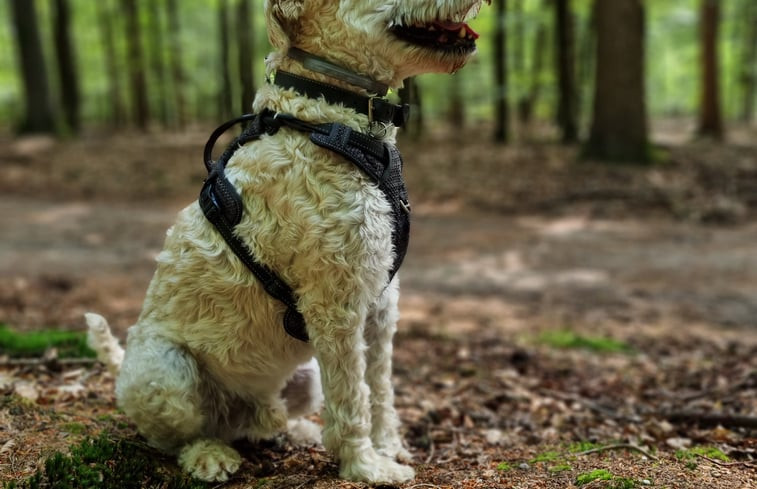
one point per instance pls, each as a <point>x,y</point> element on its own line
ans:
<point>439,35</point>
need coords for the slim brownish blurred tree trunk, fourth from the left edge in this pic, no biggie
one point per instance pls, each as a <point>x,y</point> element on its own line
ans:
<point>136,64</point>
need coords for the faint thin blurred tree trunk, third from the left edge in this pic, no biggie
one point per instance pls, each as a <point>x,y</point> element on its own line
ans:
<point>112,69</point>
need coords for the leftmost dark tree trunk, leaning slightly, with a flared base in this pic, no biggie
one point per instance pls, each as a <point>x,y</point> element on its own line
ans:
<point>38,116</point>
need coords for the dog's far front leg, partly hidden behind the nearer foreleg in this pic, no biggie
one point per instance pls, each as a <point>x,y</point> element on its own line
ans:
<point>380,327</point>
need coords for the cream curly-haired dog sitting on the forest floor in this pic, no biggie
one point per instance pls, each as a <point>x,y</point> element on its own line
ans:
<point>208,360</point>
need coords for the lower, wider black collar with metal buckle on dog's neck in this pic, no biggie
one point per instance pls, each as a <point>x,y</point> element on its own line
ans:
<point>377,109</point>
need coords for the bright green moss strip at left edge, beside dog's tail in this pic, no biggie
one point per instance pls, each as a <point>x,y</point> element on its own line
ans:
<point>34,343</point>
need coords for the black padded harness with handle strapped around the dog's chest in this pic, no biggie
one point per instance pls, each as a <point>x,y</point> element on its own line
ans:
<point>222,204</point>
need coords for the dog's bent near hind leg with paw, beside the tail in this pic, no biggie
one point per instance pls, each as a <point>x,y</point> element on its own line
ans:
<point>160,389</point>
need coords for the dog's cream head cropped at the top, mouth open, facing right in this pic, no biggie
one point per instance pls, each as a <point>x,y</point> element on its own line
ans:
<point>387,40</point>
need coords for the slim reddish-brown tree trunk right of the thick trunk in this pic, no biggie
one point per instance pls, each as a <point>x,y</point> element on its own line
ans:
<point>710,118</point>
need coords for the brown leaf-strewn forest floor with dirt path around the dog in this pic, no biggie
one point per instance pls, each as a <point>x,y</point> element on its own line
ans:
<point>563,324</point>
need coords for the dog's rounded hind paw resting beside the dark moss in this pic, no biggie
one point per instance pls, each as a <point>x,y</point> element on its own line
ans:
<point>209,460</point>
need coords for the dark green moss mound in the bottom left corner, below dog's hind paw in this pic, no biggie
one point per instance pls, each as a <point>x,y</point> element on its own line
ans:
<point>104,463</point>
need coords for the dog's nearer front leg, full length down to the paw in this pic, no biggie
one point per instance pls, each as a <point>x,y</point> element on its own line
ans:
<point>340,349</point>
